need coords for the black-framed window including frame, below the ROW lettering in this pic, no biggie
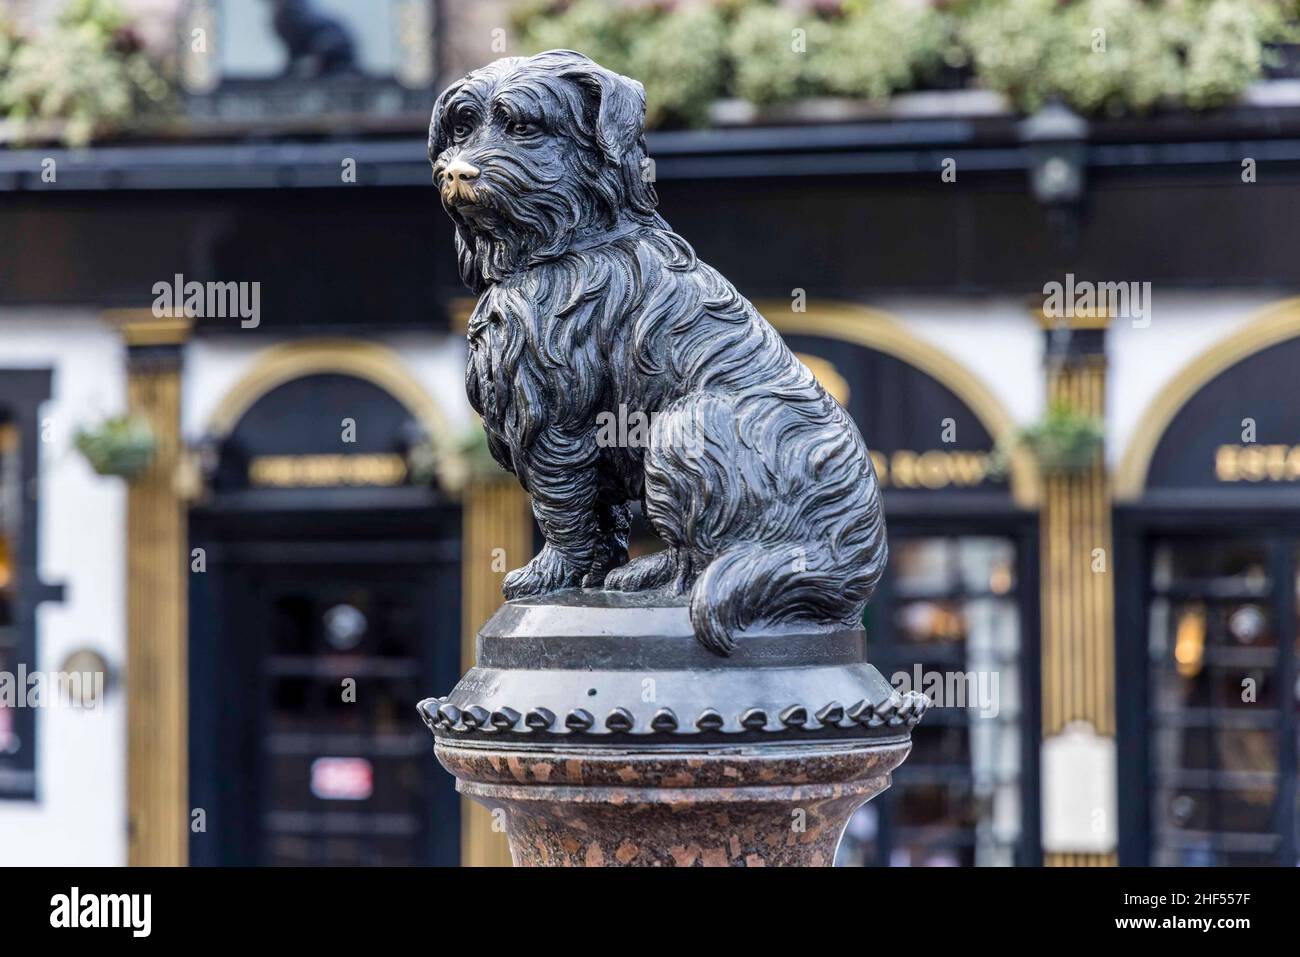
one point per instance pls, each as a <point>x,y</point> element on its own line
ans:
<point>960,599</point>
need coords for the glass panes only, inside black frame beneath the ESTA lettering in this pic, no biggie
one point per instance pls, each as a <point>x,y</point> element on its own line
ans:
<point>1216,701</point>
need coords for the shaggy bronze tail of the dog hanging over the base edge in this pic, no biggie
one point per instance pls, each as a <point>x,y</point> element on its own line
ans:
<point>749,583</point>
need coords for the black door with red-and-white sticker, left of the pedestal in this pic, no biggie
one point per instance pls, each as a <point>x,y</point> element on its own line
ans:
<point>314,634</point>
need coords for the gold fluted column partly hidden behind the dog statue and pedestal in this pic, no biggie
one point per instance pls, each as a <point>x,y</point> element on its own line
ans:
<point>499,536</point>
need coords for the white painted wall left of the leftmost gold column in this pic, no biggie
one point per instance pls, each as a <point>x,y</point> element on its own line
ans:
<point>80,815</point>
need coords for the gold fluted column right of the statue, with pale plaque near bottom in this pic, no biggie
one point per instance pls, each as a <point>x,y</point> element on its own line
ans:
<point>1077,592</point>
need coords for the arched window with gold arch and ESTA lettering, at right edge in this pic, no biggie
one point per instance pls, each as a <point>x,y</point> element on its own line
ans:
<point>1208,573</point>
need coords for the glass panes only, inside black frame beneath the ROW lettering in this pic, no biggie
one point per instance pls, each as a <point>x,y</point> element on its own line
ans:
<point>948,623</point>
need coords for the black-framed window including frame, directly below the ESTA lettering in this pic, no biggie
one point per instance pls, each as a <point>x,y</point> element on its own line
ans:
<point>1208,661</point>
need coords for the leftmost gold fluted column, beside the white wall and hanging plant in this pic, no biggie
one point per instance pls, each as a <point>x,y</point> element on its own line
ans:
<point>157,603</point>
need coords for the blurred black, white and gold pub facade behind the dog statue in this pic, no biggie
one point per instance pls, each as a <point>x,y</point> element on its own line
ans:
<point>1112,642</point>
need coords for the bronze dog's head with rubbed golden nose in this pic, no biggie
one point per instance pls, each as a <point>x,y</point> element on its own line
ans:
<point>536,154</point>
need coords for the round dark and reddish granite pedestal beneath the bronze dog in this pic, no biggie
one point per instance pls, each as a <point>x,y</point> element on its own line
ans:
<point>609,737</point>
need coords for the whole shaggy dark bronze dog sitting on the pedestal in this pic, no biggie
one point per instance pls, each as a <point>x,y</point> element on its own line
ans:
<point>591,309</point>
